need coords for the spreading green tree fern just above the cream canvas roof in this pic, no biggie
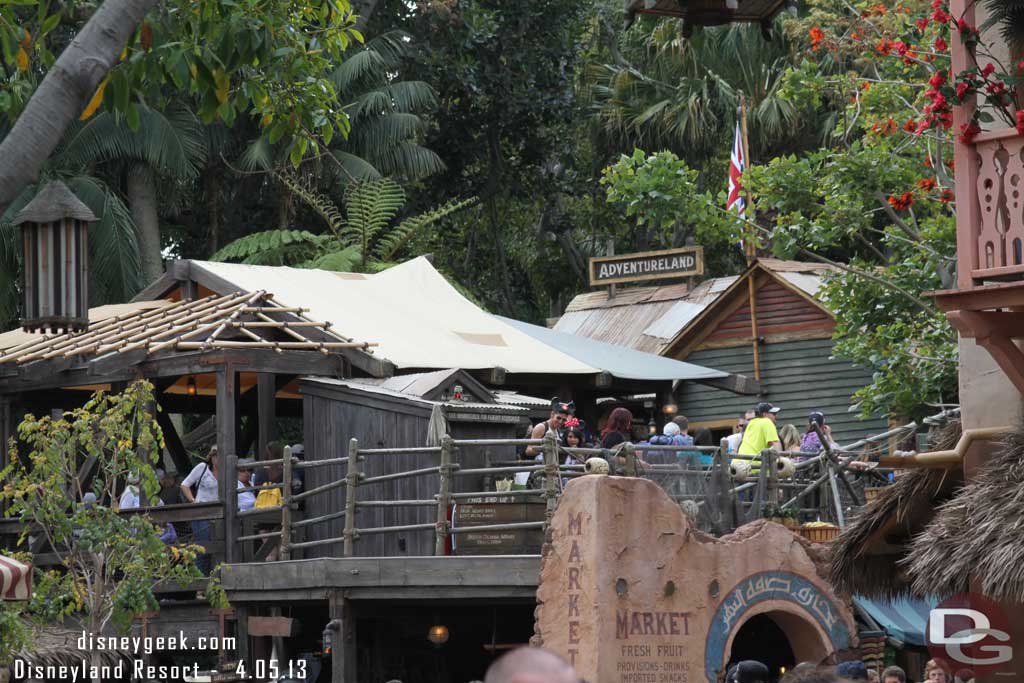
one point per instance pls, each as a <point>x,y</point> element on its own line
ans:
<point>366,239</point>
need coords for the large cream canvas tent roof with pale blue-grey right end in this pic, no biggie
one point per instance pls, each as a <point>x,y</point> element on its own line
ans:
<point>419,321</point>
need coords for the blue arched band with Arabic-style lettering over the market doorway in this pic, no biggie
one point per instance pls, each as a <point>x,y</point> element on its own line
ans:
<point>771,586</point>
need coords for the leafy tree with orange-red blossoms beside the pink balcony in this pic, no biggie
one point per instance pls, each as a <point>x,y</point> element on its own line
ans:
<point>880,201</point>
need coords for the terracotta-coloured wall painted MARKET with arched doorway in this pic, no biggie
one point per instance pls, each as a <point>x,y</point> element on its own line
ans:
<point>631,592</point>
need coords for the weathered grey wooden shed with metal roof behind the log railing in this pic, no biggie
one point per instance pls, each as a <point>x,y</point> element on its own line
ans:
<point>397,413</point>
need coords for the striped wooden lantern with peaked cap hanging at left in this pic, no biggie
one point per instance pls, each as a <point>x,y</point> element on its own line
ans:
<point>55,251</point>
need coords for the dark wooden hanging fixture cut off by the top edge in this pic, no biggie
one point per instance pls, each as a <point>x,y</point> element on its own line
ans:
<point>711,13</point>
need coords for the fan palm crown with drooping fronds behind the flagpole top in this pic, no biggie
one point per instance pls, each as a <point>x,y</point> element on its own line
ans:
<point>681,95</point>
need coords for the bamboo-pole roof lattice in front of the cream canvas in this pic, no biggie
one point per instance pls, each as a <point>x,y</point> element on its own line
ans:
<point>241,321</point>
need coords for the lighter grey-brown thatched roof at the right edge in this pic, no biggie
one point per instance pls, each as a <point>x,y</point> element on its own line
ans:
<point>979,534</point>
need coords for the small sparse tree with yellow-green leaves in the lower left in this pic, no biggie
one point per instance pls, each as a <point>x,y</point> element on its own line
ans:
<point>110,564</point>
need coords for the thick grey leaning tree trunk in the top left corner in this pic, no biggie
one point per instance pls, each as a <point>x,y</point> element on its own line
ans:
<point>64,94</point>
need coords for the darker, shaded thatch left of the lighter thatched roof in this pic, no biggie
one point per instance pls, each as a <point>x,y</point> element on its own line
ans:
<point>867,556</point>
